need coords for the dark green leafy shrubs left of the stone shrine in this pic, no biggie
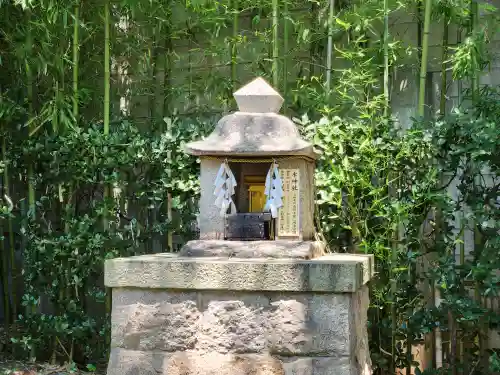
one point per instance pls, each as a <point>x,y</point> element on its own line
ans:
<point>67,243</point>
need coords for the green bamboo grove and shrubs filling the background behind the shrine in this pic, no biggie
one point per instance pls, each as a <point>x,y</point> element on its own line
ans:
<point>97,99</point>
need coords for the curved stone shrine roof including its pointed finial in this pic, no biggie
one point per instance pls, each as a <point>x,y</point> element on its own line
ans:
<point>255,130</point>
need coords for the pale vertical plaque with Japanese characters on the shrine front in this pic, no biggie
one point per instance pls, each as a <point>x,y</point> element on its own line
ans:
<point>288,220</point>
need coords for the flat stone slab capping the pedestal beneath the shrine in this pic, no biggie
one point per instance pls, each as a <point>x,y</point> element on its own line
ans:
<point>335,273</point>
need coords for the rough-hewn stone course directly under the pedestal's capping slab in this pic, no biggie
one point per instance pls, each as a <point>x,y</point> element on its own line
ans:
<point>278,323</point>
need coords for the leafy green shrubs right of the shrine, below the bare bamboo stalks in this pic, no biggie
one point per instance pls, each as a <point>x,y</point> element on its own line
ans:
<point>361,164</point>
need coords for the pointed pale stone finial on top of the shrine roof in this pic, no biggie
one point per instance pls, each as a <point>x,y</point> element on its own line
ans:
<point>258,97</point>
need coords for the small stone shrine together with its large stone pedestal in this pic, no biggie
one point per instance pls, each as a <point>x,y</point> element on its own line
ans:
<point>256,294</point>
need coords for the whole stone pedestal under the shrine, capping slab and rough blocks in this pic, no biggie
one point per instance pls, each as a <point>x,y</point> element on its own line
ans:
<point>175,315</point>
